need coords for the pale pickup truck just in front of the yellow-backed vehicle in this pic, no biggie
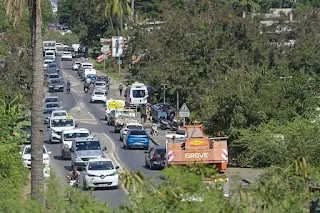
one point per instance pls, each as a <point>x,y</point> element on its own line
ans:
<point>123,116</point>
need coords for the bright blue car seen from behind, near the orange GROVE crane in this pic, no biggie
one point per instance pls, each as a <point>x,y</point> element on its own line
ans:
<point>136,138</point>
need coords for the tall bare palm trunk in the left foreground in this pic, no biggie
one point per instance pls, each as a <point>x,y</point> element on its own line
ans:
<point>37,179</point>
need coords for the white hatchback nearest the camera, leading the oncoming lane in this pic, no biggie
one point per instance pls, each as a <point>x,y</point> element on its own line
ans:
<point>101,173</point>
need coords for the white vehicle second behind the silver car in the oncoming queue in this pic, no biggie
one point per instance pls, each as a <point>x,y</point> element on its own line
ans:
<point>57,124</point>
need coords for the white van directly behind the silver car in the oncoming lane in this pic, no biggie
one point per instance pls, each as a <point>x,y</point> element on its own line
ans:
<point>67,136</point>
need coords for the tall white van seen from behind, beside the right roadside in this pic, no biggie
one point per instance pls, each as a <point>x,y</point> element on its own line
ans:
<point>136,95</point>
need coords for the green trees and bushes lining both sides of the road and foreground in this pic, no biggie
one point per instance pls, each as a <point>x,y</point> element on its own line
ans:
<point>232,78</point>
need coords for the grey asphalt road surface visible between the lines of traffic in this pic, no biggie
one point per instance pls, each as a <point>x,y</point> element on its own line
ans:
<point>91,116</point>
